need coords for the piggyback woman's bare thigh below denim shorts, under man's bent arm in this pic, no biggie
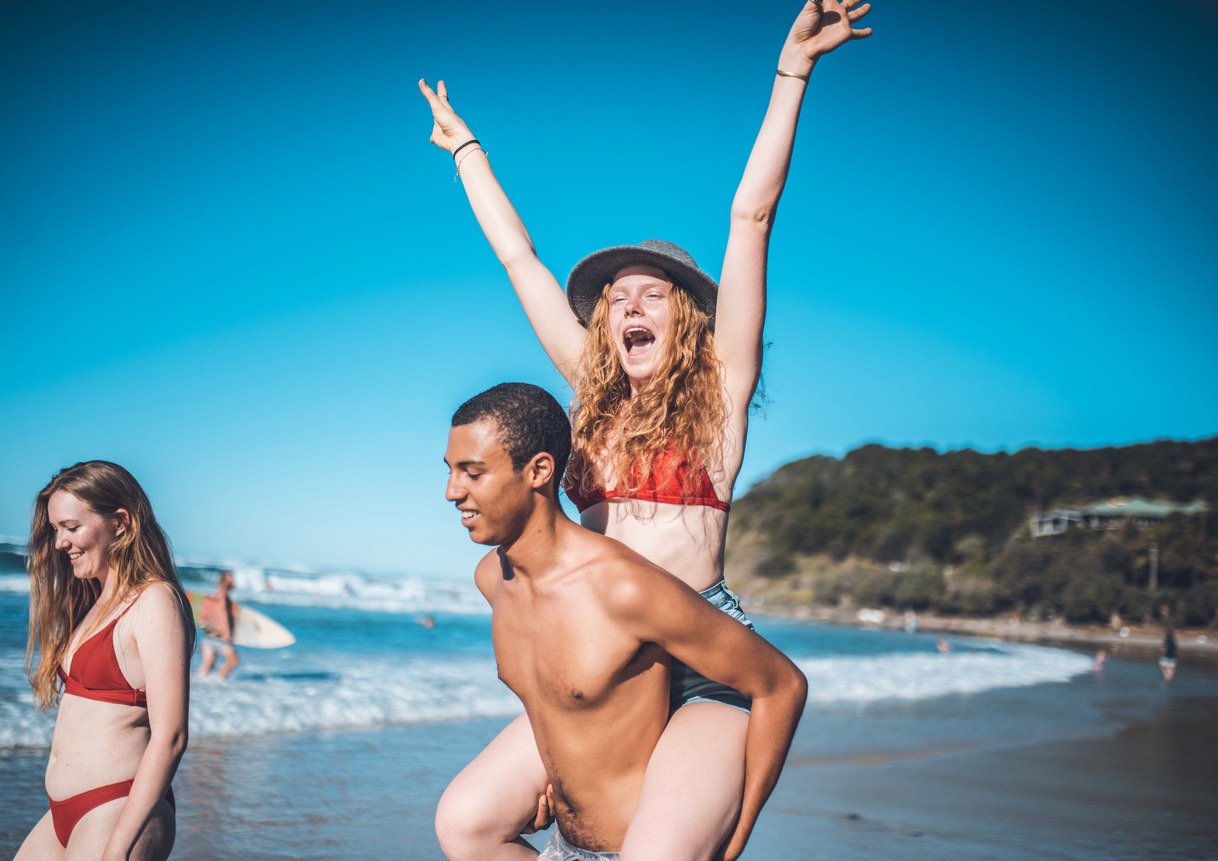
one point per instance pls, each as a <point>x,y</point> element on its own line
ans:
<point>694,786</point>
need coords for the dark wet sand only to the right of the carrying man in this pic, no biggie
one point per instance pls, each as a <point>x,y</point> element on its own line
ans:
<point>1148,792</point>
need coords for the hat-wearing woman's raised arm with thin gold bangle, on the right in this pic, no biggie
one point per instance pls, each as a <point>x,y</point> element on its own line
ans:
<point>822,27</point>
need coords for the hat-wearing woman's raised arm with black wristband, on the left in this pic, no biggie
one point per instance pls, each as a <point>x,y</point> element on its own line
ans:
<point>540,293</point>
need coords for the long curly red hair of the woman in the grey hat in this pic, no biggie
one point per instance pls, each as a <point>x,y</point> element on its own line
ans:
<point>684,406</point>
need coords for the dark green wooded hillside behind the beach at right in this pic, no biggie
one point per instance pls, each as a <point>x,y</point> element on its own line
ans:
<point>949,533</point>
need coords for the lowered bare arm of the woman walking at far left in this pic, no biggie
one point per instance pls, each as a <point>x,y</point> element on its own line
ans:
<point>165,657</point>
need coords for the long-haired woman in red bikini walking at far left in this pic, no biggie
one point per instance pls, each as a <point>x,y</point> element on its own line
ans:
<point>109,623</point>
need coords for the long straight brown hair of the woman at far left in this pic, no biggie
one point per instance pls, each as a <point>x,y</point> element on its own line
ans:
<point>58,600</point>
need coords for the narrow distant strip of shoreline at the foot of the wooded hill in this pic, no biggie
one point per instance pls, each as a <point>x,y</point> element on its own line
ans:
<point>1139,641</point>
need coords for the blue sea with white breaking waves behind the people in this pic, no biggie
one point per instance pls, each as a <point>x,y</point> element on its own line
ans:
<point>365,659</point>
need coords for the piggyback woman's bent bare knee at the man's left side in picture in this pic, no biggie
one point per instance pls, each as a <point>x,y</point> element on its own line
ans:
<point>494,799</point>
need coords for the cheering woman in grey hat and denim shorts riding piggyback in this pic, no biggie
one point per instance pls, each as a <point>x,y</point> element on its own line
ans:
<point>664,366</point>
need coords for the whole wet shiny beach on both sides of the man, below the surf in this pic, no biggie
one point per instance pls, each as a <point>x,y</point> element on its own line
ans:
<point>1113,765</point>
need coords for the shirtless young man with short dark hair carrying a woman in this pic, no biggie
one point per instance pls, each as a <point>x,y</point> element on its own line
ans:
<point>584,630</point>
